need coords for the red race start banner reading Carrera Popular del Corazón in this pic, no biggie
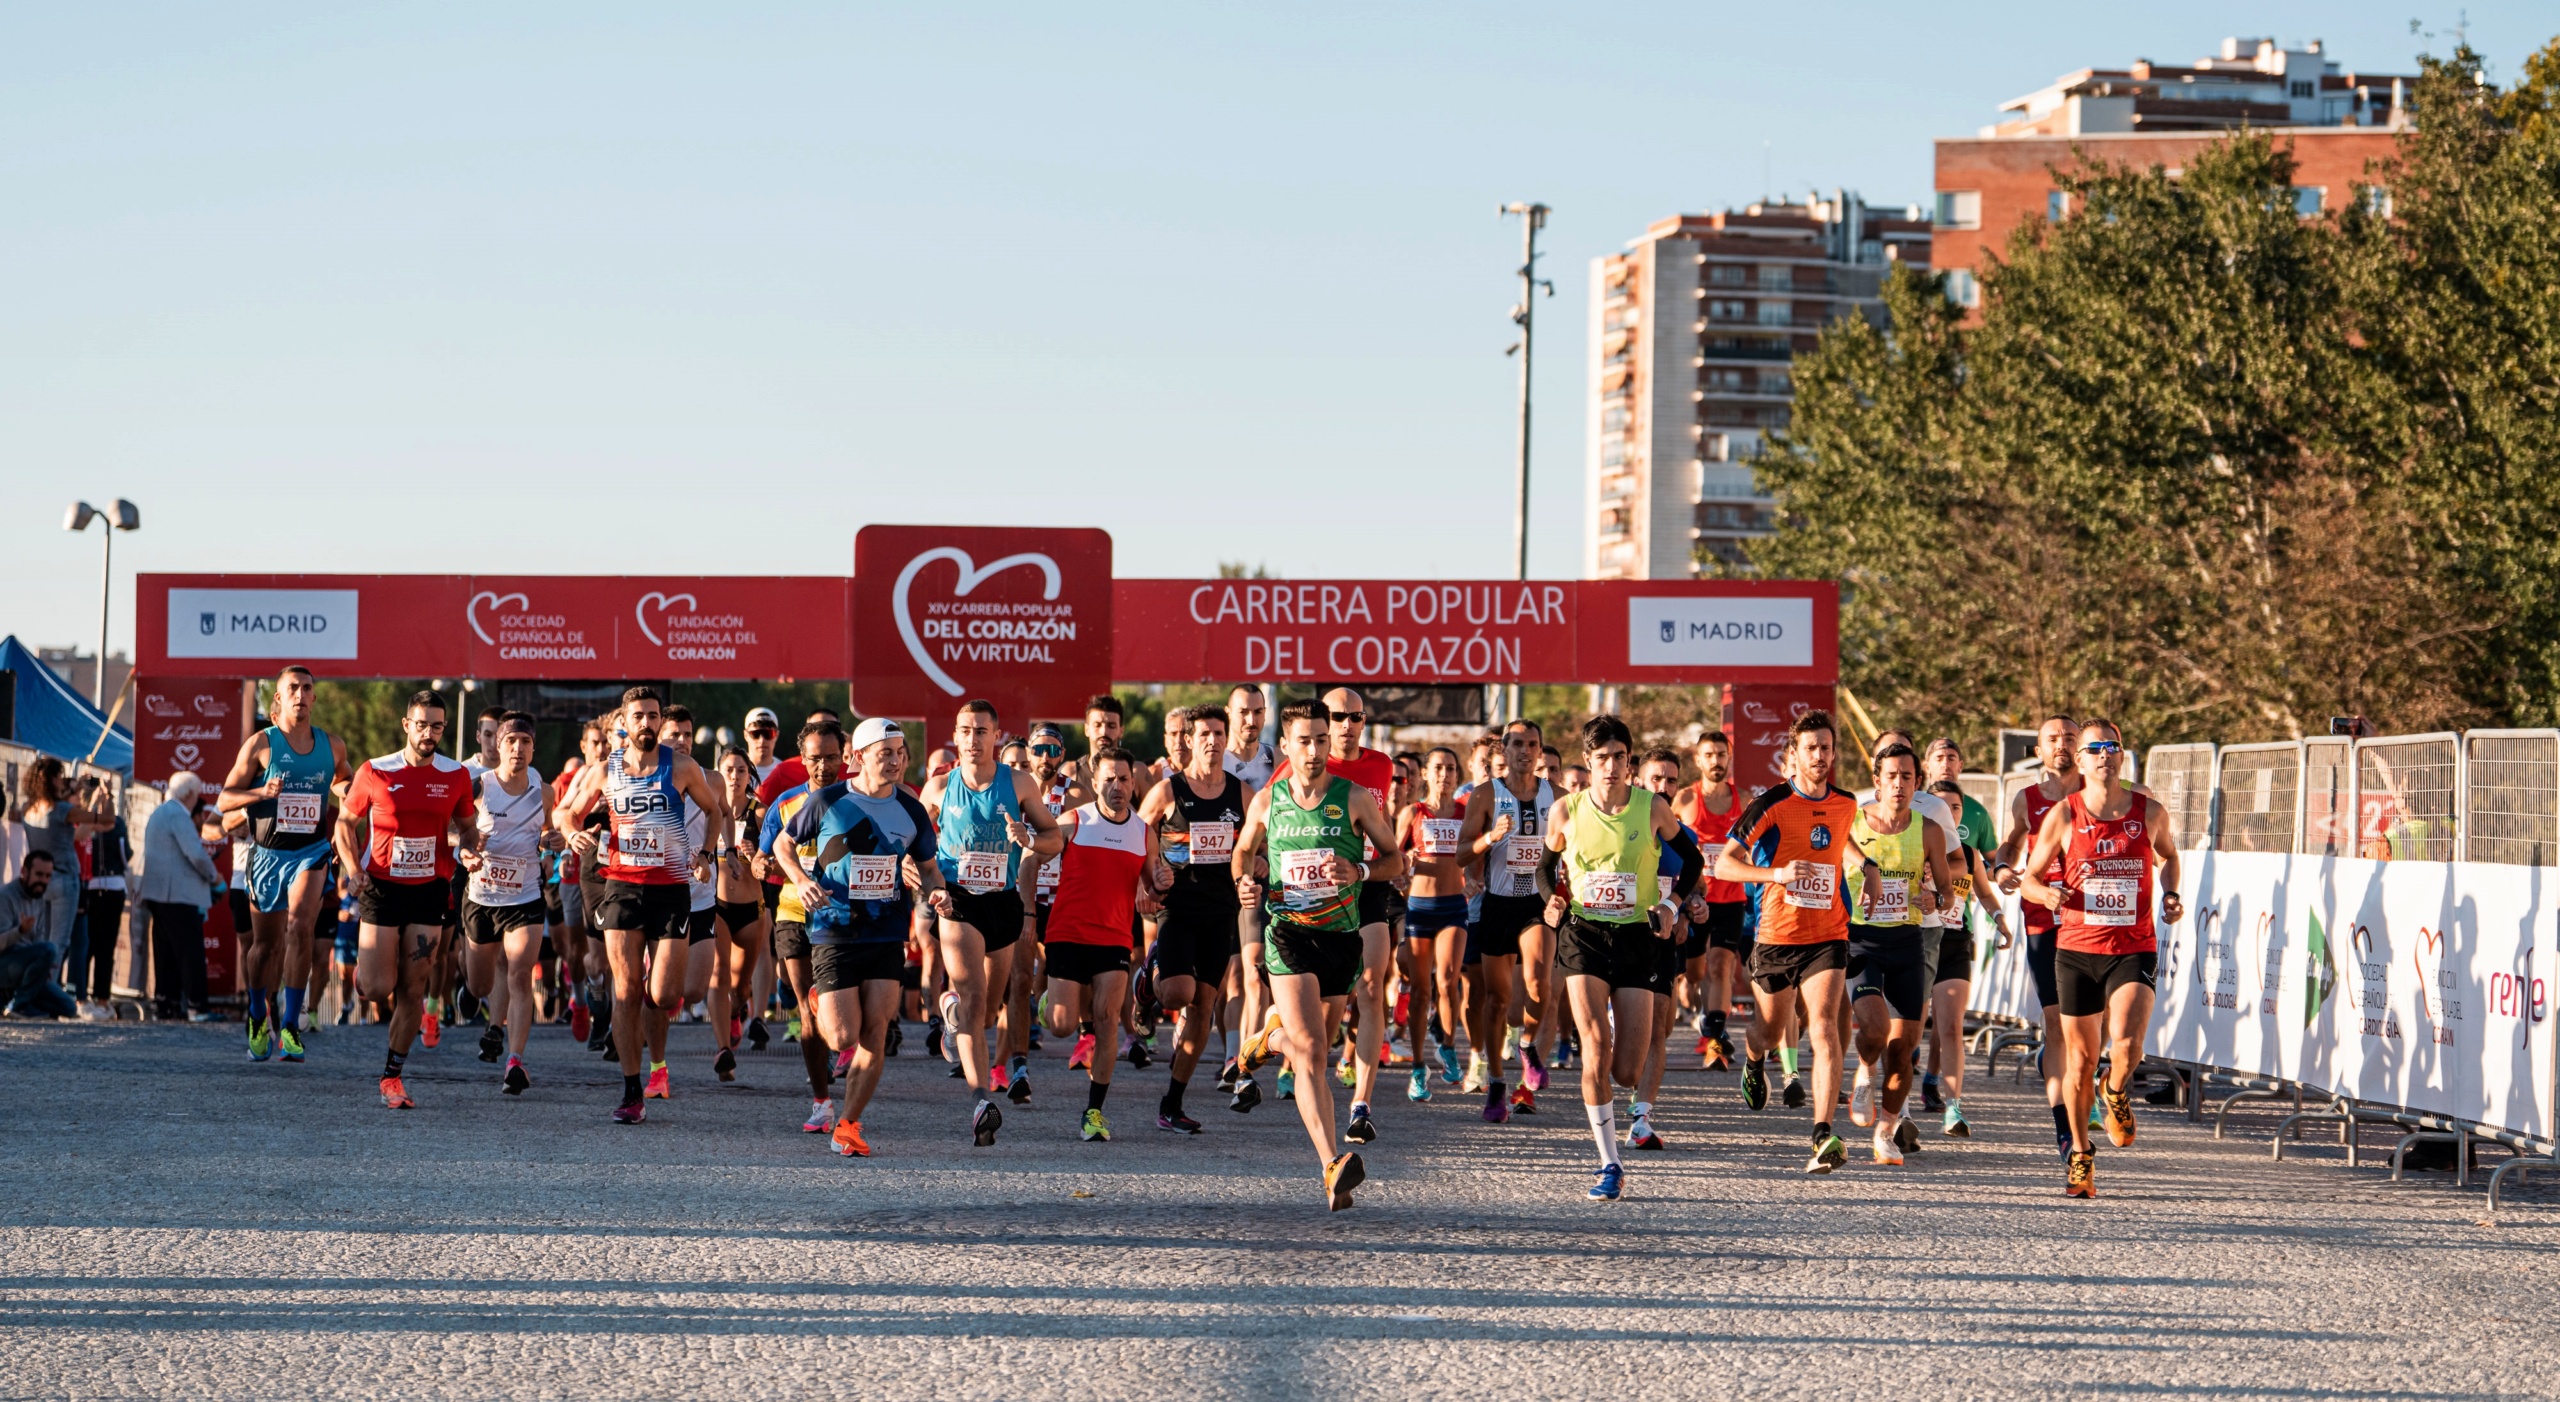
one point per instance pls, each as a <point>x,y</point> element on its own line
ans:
<point>931,615</point>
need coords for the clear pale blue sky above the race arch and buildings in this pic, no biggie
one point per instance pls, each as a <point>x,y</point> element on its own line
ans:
<point>703,290</point>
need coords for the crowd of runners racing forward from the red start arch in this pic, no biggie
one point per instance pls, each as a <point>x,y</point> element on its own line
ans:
<point>1509,915</point>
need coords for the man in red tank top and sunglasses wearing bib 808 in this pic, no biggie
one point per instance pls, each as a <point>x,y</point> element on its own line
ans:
<point>2108,840</point>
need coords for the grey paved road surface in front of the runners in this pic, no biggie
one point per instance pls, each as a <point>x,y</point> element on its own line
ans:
<point>183,1224</point>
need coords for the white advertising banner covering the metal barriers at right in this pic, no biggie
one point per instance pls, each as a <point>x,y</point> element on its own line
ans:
<point>2400,984</point>
